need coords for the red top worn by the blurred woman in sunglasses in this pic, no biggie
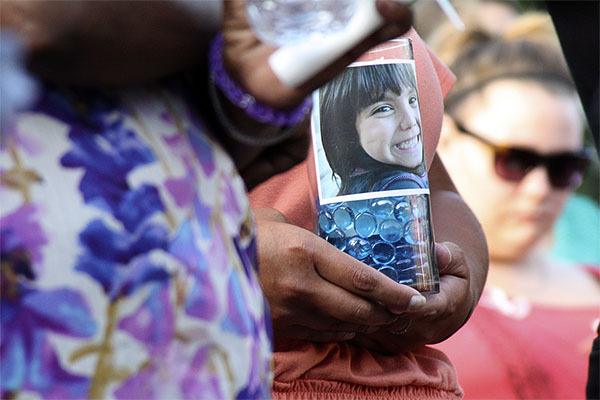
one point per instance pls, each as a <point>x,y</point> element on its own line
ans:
<point>512,349</point>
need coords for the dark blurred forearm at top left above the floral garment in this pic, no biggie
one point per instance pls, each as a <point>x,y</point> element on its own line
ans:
<point>110,42</point>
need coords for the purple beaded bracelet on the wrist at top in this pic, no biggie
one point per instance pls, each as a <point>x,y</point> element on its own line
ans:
<point>245,101</point>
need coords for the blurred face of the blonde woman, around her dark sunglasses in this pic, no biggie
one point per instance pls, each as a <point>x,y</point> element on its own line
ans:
<point>514,215</point>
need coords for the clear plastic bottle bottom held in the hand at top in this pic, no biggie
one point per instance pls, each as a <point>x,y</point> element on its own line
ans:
<point>285,22</point>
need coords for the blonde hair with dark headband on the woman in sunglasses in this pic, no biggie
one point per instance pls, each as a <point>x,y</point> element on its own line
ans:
<point>527,49</point>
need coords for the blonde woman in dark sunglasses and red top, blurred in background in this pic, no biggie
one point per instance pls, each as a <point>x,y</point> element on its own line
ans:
<point>512,142</point>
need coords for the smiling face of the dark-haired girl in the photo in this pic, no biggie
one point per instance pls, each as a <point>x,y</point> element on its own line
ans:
<point>390,130</point>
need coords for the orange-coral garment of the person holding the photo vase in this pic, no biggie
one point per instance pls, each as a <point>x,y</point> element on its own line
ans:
<point>340,370</point>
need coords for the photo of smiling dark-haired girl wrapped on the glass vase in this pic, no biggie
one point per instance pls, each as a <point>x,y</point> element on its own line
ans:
<point>371,129</point>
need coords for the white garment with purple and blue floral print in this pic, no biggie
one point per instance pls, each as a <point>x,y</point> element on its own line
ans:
<point>127,255</point>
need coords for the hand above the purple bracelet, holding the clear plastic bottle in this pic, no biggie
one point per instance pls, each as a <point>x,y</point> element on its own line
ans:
<point>246,58</point>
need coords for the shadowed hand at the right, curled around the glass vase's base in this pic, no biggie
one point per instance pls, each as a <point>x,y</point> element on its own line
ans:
<point>443,314</point>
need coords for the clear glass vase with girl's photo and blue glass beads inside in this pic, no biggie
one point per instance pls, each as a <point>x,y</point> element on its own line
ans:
<point>369,177</point>
